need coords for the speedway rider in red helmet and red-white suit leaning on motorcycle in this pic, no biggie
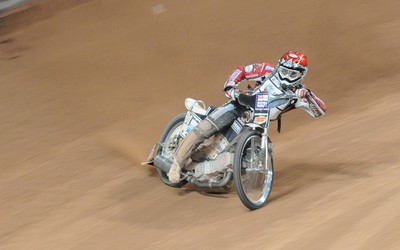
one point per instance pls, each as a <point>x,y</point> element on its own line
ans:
<point>286,77</point>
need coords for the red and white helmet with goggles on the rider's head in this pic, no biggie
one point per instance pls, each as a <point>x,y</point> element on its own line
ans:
<point>292,68</point>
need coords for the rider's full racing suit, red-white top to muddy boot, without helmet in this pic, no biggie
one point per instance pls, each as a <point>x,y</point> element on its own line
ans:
<point>264,76</point>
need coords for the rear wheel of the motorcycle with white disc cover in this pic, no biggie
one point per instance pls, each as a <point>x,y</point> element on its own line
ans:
<point>169,141</point>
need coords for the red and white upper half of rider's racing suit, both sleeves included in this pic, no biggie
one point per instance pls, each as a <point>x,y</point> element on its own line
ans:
<point>261,72</point>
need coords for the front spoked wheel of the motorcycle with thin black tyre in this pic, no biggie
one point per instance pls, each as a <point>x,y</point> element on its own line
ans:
<point>252,176</point>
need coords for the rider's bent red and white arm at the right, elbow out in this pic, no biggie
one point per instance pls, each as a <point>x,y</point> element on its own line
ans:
<point>310,103</point>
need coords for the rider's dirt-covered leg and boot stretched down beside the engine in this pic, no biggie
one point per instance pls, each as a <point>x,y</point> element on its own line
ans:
<point>217,120</point>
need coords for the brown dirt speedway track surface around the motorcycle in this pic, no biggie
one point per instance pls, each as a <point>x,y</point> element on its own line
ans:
<point>86,92</point>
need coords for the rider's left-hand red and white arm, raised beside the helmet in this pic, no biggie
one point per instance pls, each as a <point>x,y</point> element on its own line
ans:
<point>251,72</point>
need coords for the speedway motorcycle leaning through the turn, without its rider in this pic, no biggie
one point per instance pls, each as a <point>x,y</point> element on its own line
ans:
<point>241,153</point>
